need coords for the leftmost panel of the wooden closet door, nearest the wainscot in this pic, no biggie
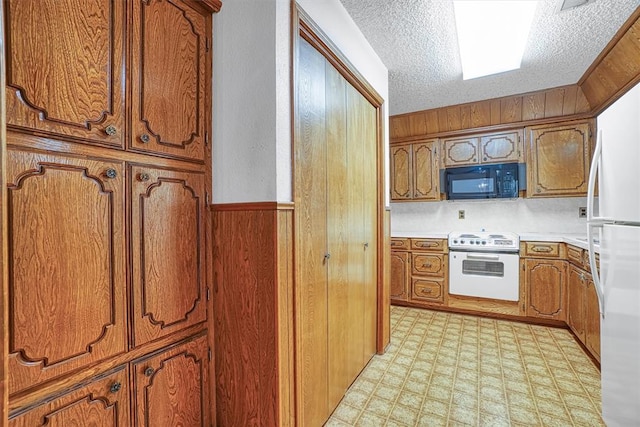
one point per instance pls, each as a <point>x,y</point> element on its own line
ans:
<point>311,237</point>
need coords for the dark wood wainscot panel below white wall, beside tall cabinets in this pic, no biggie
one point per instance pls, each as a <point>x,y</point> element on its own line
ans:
<point>253,310</point>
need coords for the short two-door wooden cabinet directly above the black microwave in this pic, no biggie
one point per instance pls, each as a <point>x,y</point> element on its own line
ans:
<point>478,149</point>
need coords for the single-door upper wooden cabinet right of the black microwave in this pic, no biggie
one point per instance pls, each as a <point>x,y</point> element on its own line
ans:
<point>559,158</point>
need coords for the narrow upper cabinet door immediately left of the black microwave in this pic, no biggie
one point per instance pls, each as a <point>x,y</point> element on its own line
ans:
<point>425,171</point>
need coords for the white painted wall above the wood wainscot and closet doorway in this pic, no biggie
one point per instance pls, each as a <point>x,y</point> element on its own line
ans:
<point>251,92</point>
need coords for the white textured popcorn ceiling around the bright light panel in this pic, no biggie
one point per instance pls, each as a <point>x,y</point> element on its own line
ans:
<point>416,40</point>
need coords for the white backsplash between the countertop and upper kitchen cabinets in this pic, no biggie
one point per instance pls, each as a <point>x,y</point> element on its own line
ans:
<point>549,215</point>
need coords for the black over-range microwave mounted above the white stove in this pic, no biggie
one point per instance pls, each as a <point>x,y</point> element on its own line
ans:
<point>495,181</point>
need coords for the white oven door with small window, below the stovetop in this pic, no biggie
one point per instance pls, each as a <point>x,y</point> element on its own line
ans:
<point>484,275</point>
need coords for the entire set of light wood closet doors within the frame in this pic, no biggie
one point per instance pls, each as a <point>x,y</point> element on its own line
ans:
<point>336,191</point>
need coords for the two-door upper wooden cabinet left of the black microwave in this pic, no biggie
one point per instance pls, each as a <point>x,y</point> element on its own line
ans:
<point>415,171</point>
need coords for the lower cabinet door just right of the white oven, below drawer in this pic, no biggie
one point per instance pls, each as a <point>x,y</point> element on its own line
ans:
<point>545,288</point>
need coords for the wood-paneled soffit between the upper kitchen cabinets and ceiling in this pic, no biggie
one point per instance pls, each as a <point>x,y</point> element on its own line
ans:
<point>615,71</point>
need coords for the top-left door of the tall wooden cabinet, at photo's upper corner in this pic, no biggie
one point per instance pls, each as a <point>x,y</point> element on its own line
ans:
<point>65,62</point>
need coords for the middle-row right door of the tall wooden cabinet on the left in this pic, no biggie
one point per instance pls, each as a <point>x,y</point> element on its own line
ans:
<point>167,243</point>
